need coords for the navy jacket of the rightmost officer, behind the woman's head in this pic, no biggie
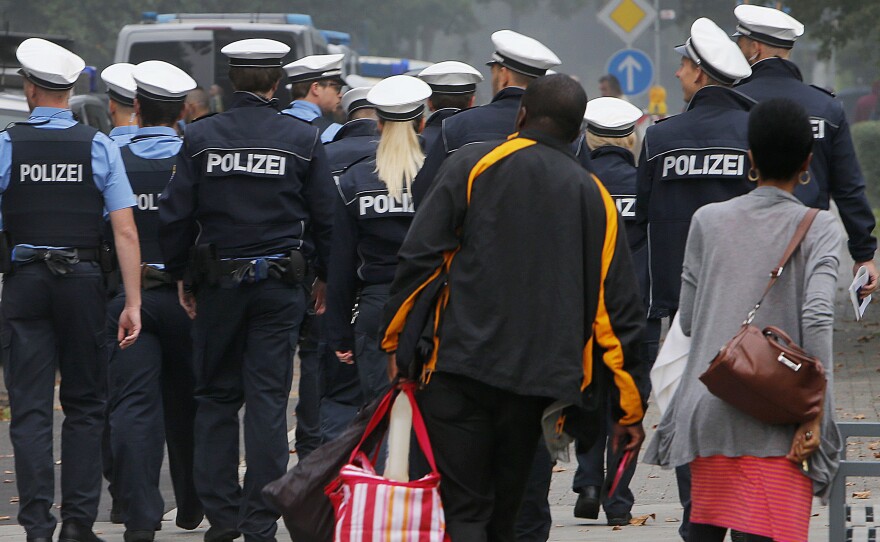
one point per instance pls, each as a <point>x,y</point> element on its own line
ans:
<point>834,170</point>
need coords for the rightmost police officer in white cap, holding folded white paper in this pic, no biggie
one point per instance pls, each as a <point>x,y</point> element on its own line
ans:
<point>766,37</point>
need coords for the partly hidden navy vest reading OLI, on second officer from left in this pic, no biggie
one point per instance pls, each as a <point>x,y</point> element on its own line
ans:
<point>148,178</point>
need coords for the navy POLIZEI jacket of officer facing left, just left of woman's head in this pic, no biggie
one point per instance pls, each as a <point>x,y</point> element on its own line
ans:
<point>687,161</point>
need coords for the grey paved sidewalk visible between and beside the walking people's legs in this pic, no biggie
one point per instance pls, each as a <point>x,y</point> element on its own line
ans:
<point>857,395</point>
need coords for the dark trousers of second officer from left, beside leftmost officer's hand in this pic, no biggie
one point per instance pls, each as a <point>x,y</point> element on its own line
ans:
<point>151,401</point>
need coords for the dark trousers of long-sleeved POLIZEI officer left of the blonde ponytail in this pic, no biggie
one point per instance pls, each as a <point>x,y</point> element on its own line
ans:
<point>243,346</point>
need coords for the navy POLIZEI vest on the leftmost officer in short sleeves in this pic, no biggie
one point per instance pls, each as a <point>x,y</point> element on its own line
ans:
<point>52,199</point>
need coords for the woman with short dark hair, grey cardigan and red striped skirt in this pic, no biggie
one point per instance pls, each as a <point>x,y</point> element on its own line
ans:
<point>748,475</point>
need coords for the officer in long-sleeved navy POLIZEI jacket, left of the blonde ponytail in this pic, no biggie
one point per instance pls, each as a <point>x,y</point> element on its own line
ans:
<point>252,207</point>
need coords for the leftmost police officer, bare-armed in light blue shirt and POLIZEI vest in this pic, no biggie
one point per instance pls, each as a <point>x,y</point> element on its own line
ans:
<point>57,179</point>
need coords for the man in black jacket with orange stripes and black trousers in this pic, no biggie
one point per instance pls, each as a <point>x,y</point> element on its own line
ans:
<point>514,338</point>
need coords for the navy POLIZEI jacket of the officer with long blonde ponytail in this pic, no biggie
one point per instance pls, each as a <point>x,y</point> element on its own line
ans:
<point>368,229</point>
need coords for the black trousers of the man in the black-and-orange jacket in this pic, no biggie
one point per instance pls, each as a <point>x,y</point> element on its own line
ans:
<point>484,441</point>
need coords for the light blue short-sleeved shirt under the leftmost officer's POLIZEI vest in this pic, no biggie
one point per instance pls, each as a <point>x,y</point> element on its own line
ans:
<point>107,168</point>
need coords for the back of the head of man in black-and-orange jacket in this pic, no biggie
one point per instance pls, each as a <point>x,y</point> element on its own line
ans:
<point>553,104</point>
